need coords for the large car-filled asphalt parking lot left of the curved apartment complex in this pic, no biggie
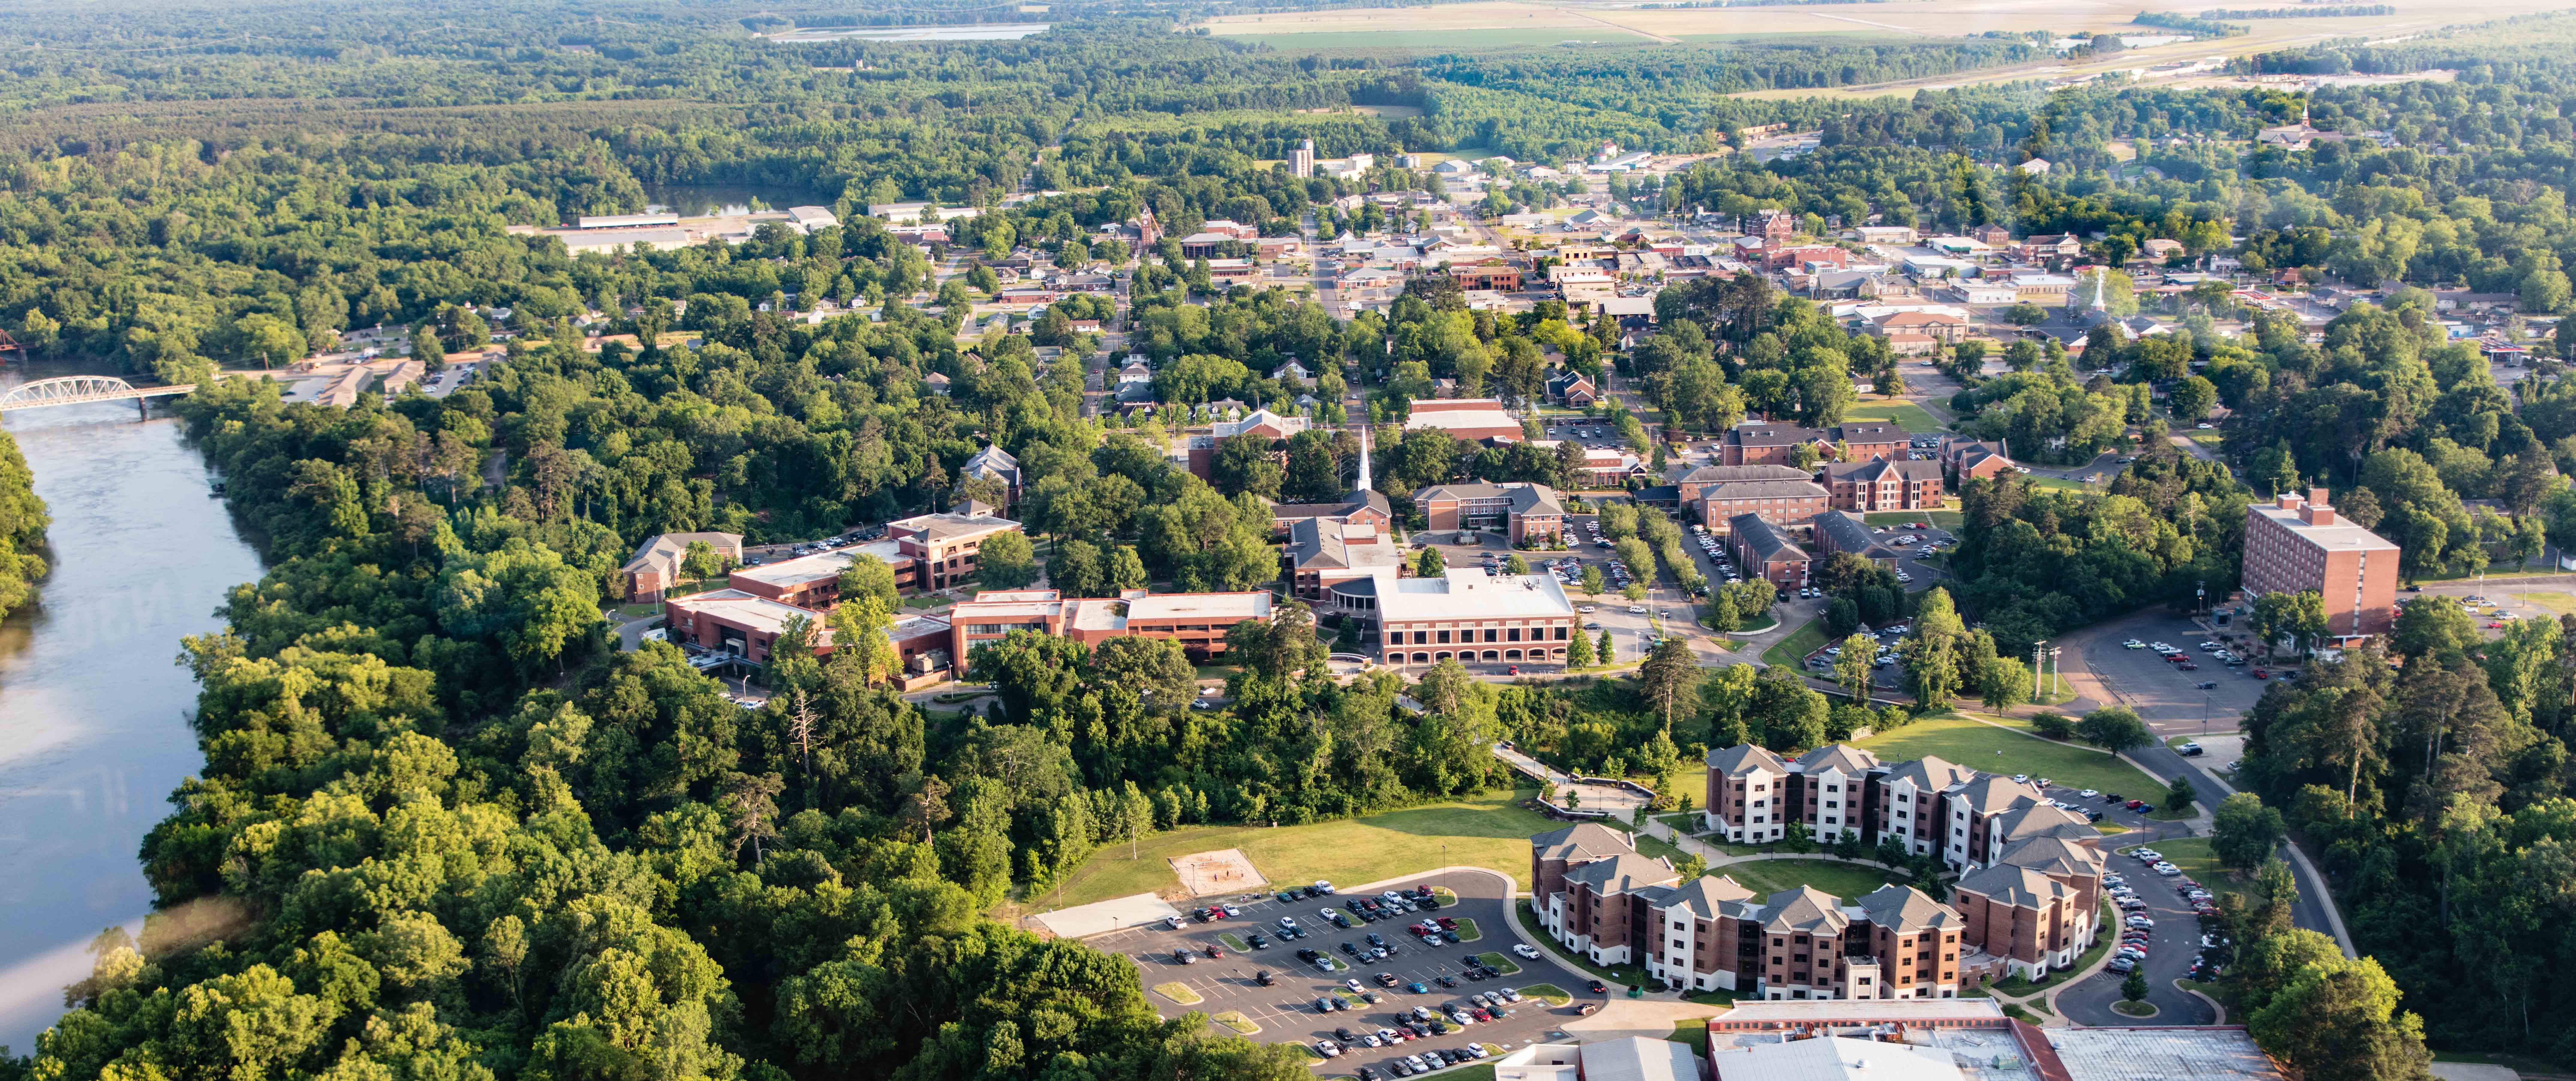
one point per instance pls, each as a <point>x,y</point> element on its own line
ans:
<point>1287,1010</point>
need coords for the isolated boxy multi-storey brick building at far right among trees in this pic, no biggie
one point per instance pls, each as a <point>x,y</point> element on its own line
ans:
<point>2302,544</point>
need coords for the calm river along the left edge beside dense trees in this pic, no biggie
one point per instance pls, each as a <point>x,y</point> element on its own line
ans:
<point>94,714</point>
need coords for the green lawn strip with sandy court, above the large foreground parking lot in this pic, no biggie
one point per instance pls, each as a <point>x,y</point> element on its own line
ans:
<point>1477,833</point>
